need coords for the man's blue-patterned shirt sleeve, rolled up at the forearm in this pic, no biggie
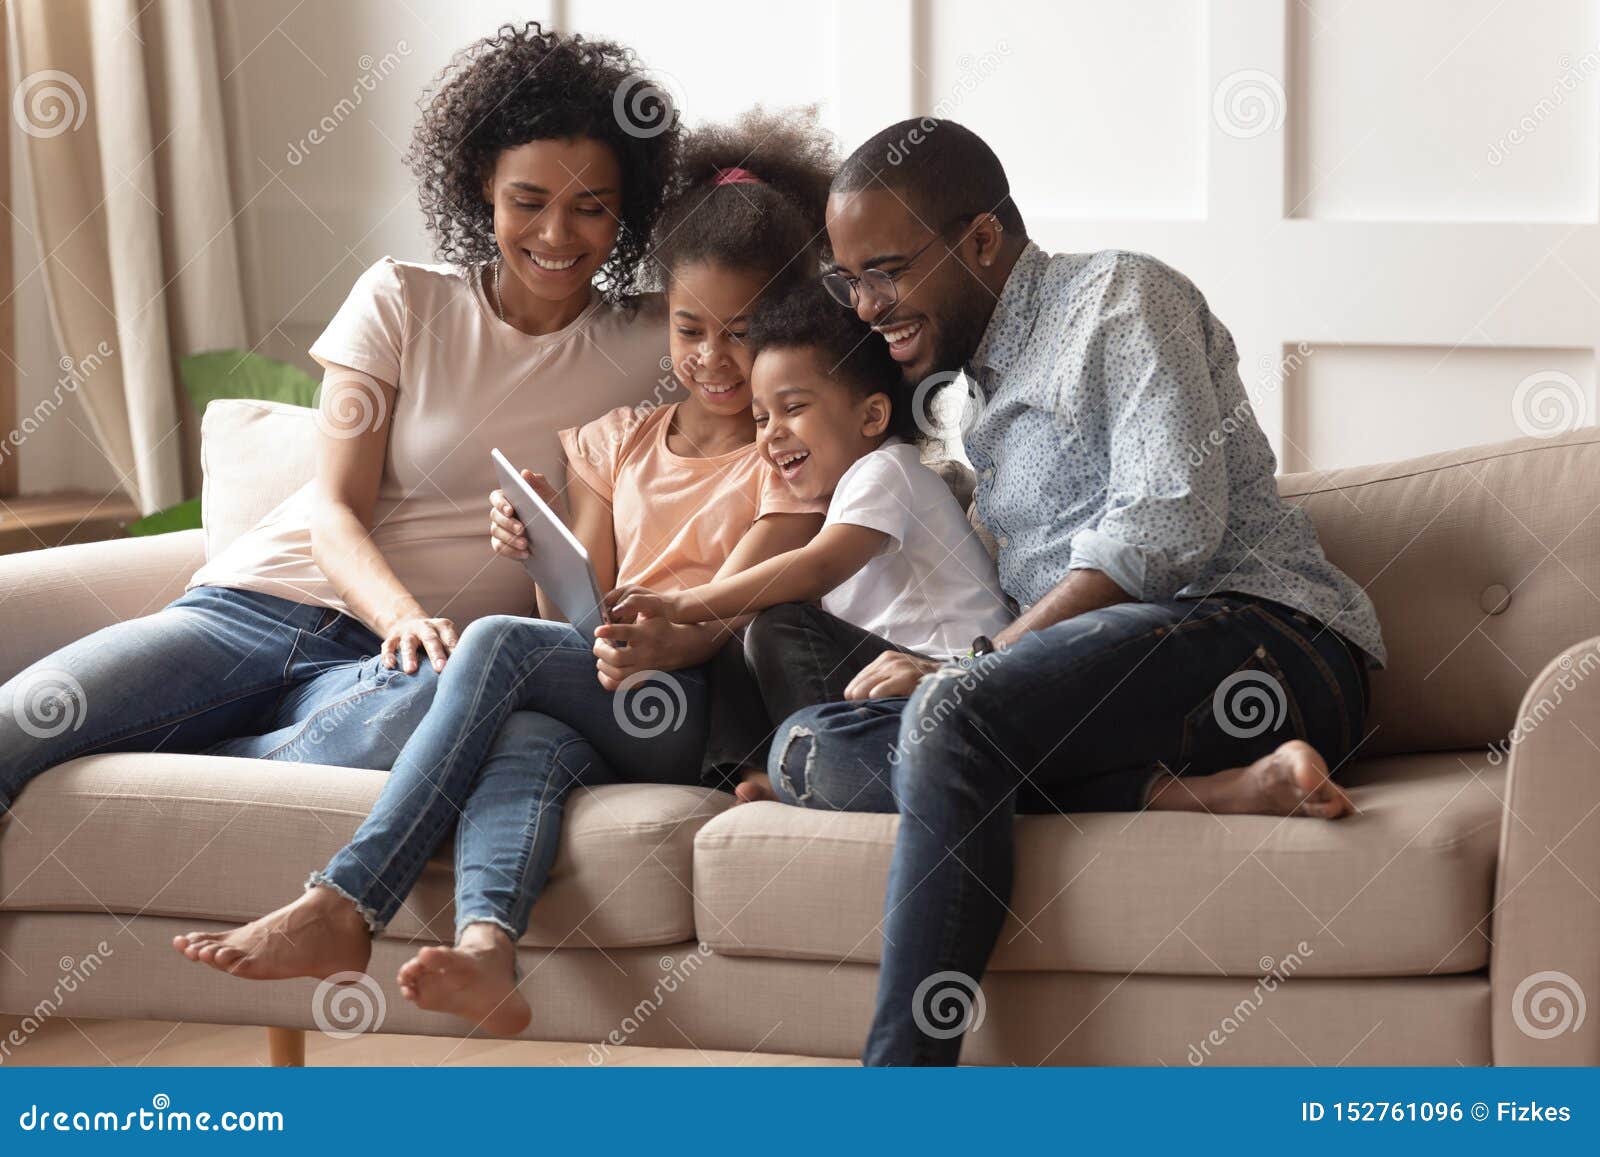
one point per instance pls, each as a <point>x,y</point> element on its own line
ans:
<point>1167,487</point>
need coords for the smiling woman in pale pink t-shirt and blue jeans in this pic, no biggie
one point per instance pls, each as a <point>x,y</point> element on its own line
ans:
<point>303,639</point>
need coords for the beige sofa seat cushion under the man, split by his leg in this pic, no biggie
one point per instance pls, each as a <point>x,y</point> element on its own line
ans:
<point>1401,889</point>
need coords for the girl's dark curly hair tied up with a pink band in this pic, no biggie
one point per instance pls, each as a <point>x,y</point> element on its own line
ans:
<point>772,225</point>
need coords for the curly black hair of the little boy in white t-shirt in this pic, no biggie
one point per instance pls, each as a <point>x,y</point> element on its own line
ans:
<point>844,348</point>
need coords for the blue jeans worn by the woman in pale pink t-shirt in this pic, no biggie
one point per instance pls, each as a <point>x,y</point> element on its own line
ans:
<point>220,671</point>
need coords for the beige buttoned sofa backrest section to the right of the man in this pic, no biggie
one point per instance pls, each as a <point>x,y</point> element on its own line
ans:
<point>1484,566</point>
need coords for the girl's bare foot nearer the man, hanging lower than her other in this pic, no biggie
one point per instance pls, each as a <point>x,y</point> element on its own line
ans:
<point>476,982</point>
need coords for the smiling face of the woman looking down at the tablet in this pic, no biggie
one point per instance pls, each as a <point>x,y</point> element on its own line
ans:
<point>558,209</point>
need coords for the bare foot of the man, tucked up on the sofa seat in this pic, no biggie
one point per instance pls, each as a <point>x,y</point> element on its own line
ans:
<point>1292,782</point>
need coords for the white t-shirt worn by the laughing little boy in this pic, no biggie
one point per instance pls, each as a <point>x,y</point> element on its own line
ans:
<point>934,588</point>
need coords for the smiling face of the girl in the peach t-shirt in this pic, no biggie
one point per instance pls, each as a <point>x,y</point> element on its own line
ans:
<point>708,316</point>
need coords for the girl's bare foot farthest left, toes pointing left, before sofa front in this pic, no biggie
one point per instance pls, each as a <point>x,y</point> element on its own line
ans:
<point>318,935</point>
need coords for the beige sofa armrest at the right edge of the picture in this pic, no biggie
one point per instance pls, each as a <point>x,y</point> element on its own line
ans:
<point>1546,924</point>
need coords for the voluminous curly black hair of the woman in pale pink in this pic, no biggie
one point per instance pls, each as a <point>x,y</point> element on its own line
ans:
<point>522,86</point>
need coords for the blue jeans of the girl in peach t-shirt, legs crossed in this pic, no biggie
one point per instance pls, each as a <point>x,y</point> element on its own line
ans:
<point>518,724</point>
